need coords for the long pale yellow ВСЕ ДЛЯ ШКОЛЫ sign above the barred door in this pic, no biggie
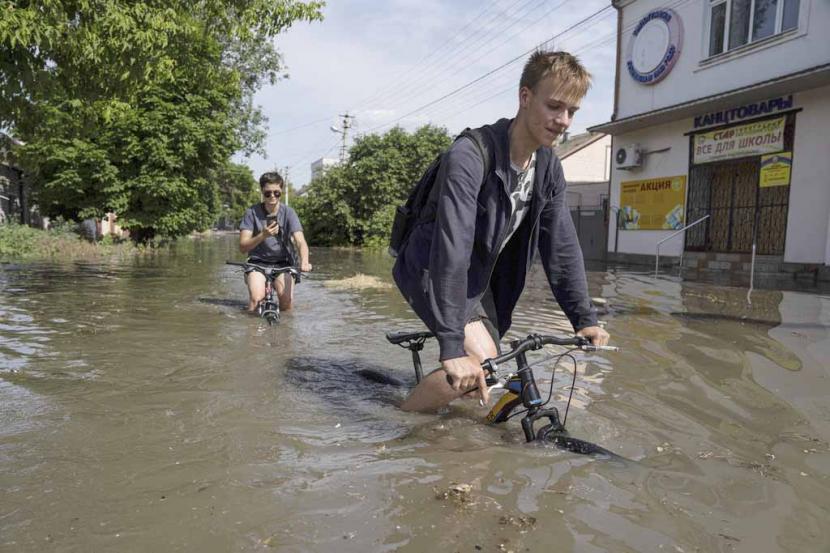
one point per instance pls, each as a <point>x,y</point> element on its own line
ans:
<point>752,139</point>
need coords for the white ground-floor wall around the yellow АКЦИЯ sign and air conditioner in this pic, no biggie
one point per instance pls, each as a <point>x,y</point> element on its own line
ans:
<point>670,163</point>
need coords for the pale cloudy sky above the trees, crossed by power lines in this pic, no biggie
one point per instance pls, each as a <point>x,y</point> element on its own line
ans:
<point>451,63</point>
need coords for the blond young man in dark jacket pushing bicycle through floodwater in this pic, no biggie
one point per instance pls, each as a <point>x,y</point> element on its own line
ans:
<point>463,269</point>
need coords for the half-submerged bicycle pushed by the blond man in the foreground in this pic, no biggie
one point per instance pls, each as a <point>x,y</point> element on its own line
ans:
<point>520,387</point>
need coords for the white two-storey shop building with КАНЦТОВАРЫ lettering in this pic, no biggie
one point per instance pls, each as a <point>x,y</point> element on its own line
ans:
<point>720,109</point>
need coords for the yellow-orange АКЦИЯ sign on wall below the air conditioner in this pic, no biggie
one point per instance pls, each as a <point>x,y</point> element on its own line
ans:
<point>653,204</point>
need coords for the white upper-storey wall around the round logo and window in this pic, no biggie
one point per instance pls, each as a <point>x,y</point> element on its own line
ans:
<point>691,79</point>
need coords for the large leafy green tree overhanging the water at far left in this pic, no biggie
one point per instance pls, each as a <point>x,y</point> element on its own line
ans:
<point>137,106</point>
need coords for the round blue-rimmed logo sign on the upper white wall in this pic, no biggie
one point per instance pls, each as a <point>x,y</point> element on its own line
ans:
<point>654,46</point>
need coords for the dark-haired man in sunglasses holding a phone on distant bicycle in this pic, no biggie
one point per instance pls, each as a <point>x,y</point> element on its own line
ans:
<point>265,235</point>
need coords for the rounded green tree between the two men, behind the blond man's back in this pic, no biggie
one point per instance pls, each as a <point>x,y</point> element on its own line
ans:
<point>355,204</point>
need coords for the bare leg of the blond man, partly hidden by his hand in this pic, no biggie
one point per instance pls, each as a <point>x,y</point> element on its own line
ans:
<point>433,392</point>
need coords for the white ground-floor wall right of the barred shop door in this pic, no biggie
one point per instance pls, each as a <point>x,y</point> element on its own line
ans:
<point>807,218</point>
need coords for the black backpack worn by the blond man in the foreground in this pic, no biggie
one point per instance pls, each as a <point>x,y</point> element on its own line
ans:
<point>412,212</point>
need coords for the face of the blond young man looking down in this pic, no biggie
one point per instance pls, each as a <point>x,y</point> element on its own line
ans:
<point>548,110</point>
